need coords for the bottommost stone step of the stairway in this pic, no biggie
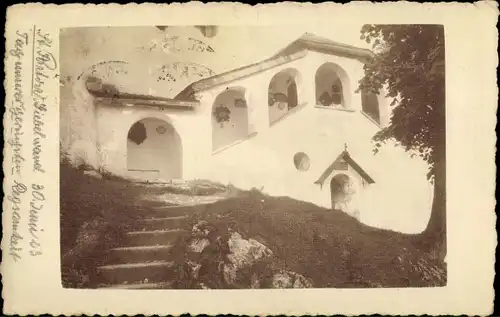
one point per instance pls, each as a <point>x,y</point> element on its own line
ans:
<point>133,273</point>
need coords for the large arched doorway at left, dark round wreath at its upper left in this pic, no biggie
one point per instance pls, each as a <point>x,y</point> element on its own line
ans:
<point>154,149</point>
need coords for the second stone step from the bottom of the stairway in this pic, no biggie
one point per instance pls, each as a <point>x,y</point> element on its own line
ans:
<point>138,254</point>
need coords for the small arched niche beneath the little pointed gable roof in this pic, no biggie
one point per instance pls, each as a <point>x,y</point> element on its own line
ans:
<point>343,193</point>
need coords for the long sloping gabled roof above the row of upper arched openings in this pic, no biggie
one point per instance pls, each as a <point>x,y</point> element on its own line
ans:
<point>295,50</point>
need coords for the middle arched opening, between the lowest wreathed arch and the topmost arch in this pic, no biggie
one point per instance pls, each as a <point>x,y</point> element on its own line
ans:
<point>283,93</point>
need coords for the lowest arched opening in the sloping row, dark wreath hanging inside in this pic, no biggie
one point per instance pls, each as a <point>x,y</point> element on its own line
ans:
<point>229,117</point>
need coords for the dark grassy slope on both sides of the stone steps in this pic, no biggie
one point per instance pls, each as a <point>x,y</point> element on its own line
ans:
<point>330,248</point>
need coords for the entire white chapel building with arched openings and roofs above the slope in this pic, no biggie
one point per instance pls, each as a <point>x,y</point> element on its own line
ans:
<point>291,124</point>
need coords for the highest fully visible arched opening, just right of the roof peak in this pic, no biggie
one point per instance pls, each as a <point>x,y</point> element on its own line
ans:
<point>332,86</point>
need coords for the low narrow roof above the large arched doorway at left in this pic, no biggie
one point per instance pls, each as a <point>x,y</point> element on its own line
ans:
<point>109,94</point>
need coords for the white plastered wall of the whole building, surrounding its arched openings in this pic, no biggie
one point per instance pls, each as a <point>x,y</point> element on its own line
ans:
<point>400,199</point>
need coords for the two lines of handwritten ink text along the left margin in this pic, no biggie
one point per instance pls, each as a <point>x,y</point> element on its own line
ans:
<point>38,47</point>
